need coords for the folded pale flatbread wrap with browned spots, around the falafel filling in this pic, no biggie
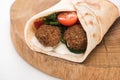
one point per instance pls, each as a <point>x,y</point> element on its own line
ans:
<point>96,18</point>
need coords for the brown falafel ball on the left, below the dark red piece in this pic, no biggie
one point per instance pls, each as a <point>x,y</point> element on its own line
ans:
<point>48,35</point>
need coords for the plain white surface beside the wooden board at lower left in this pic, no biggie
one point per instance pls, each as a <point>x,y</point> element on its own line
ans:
<point>12,66</point>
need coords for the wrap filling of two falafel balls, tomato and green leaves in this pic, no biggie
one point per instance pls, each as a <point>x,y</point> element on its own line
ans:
<point>61,28</point>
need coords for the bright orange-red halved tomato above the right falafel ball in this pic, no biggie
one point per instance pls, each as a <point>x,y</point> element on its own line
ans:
<point>67,18</point>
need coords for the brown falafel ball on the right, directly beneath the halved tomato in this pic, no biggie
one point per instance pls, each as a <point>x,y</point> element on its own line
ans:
<point>75,37</point>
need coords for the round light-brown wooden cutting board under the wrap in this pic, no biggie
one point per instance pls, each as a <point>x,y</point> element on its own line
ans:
<point>102,64</point>
